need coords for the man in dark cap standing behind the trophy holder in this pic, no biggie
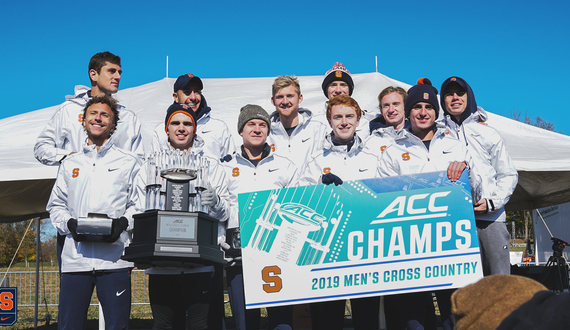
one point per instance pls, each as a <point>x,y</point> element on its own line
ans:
<point>215,133</point>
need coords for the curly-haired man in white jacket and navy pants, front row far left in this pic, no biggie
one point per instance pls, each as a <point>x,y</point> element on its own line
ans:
<point>100,178</point>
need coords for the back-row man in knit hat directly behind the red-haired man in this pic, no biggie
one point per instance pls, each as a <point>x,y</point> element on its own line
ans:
<point>338,81</point>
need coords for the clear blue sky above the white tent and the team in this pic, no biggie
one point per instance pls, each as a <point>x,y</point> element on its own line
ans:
<point>513,54</point>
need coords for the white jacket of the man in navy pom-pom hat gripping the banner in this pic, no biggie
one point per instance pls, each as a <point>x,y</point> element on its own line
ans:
<point>409,155</point>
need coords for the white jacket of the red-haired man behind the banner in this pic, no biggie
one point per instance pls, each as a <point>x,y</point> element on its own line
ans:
<point>354,164</point>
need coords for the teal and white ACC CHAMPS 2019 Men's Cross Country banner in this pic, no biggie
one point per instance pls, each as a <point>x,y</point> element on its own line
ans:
<point>363,238</point>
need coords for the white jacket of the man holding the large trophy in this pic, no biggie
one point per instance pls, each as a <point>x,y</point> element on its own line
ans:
<point>218,181</point>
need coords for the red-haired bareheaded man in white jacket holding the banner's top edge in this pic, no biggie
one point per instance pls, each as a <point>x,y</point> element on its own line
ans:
<point>342,158</point>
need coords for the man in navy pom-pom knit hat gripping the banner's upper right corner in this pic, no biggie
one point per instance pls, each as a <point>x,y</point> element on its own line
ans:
<point>424,147</point>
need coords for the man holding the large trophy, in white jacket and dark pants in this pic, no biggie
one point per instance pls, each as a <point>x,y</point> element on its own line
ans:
<point>191,291</point>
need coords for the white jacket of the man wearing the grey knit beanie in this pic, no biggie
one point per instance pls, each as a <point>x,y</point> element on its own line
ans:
<point>272,172</point>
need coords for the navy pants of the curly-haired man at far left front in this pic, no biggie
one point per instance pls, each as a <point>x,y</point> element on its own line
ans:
<point>113,291</point>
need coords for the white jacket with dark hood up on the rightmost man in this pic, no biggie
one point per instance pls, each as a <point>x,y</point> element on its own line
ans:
<point>488,151</point>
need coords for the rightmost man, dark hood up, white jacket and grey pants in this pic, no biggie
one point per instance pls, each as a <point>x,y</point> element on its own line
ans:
<point>491,159</point>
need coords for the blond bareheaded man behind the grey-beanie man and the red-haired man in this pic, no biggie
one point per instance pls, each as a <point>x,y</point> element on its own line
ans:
<point>294,134</point>
